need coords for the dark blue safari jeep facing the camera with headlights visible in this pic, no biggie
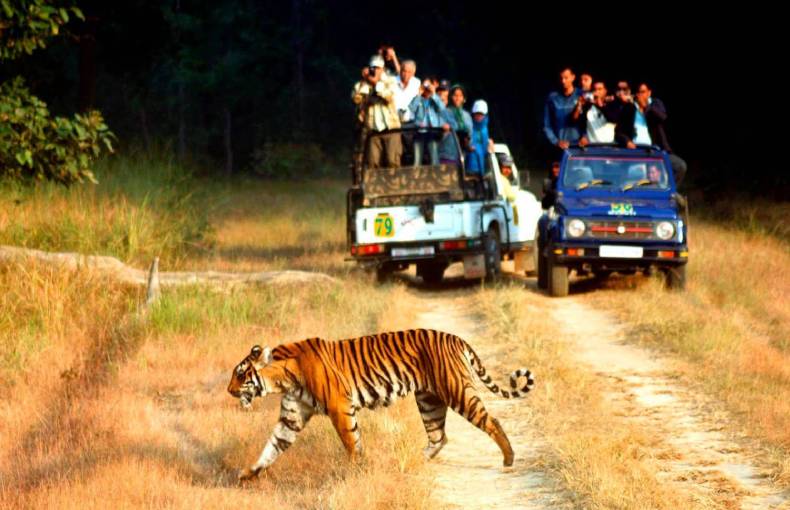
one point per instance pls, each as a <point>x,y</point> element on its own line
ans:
<point>612,210</point>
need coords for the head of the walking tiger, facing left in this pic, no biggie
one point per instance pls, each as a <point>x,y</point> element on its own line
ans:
<point>258,375</point>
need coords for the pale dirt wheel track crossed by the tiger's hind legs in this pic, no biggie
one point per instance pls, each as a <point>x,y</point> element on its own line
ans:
<point>468,471</point>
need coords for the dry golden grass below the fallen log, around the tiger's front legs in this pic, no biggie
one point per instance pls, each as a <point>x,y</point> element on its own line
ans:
<point>149,424</point>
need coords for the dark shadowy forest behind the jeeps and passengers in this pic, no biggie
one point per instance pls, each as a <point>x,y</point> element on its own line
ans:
<point>236,84</point>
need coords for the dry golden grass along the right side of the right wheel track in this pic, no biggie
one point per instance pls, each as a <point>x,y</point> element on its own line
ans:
<point>731,326</point>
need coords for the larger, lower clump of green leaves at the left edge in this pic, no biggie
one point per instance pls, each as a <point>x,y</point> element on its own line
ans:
<point>35,145</point>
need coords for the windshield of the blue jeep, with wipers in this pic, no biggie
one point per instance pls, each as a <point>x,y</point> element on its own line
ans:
<point>622,173</point>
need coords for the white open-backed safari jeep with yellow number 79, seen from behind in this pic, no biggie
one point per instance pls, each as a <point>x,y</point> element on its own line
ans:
<point>434,215</point>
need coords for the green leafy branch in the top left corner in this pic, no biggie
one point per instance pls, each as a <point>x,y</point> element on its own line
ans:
<point>26,25</point>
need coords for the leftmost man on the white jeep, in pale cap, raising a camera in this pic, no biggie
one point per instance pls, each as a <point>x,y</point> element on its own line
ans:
<point>374,96</point>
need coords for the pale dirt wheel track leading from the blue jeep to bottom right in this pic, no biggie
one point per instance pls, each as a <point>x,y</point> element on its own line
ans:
<point>699,457</point>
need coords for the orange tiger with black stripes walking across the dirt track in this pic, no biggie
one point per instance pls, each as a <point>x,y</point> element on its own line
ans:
<point>338,378</point>
